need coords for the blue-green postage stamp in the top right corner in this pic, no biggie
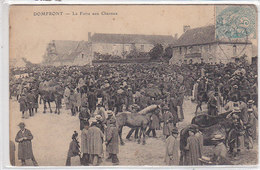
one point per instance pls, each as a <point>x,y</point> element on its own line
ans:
<point>234,22</point>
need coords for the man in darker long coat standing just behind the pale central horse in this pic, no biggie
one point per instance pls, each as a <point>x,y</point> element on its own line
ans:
<point>112,142</point>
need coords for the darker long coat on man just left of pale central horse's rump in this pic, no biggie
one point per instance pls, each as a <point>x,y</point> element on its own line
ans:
<point>112,139</point>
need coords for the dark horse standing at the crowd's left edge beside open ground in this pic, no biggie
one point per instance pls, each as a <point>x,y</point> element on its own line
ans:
<point>49,96</point>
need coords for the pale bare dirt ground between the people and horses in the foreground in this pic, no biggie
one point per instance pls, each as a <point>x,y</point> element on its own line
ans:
<point>52,135</point>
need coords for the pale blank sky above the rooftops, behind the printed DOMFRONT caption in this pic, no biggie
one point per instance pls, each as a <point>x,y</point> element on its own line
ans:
<point>29,34</point>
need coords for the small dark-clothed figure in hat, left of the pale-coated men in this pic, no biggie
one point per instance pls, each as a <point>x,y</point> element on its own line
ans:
<point>73,149</point>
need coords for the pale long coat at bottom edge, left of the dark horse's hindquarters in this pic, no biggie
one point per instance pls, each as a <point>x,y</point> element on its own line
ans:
<point>172,149</point>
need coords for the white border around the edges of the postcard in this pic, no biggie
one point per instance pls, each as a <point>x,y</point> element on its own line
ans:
<point>4,77</point>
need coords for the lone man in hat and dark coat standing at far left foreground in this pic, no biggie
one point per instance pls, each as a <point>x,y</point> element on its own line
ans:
<point>23,138</point>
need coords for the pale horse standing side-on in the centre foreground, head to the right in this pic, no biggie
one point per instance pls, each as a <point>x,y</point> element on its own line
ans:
<point>135,120</point>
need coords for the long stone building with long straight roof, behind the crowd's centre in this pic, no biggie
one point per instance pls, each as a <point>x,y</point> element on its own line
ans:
<point>122,44</point>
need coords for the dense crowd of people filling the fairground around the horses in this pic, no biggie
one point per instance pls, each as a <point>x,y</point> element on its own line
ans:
<point>98,93</point>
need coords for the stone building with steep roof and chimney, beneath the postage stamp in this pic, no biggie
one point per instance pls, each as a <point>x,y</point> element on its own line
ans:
<point>200,44</point>
